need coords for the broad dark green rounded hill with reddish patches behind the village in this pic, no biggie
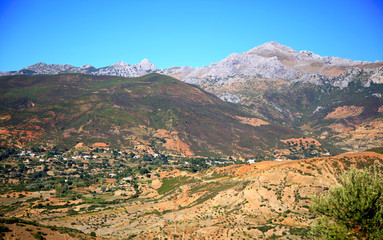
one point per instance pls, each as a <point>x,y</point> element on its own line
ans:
<point>152,114</point>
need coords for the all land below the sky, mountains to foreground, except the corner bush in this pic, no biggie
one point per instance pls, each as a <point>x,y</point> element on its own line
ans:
<point>233,150</point>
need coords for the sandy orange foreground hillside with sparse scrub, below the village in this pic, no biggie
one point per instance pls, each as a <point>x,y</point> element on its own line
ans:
<point>268,199</point>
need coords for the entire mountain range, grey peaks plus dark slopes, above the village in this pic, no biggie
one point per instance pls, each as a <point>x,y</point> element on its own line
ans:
<point>277,102</point>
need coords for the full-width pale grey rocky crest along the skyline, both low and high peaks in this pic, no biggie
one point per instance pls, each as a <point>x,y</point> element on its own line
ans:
<point>271,60</point>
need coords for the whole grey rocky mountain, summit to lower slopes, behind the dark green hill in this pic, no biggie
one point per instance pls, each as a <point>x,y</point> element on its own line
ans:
<point>334,100</point>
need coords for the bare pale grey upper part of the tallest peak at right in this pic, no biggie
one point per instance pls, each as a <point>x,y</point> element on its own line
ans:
<point>275,61</point>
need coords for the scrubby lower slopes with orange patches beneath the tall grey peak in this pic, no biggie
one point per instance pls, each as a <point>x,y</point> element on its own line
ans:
<point>348,118</point>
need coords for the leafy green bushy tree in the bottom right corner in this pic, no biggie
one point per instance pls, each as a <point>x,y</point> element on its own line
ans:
<point>352,210</point>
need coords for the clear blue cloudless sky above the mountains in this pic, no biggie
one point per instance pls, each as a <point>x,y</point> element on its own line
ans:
<point>179,33</point>
